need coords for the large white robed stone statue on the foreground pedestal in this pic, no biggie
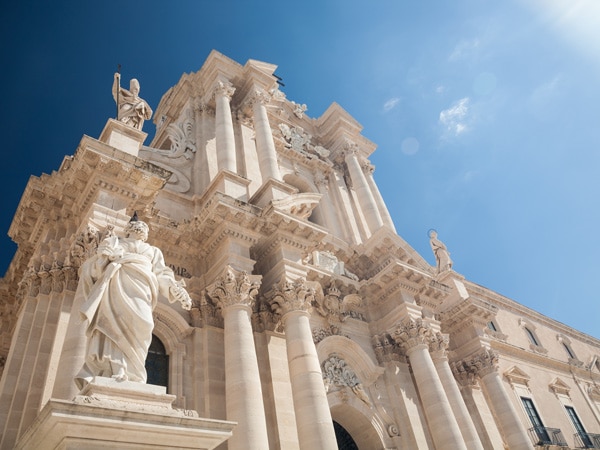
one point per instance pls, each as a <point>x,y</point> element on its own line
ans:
<point>119,288</point>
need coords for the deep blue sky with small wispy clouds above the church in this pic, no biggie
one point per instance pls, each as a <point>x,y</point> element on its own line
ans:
<point>486,114</point>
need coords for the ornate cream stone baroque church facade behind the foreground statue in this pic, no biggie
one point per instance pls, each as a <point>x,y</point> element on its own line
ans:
<point>313,324</point>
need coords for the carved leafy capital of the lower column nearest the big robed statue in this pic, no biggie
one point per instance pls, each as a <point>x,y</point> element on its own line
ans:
<point>234,288</point>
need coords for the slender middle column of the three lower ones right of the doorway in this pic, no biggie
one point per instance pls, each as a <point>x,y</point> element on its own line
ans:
<point>438,347</point>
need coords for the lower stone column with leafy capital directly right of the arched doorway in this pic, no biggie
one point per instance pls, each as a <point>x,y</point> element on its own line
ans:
<point>414,337</point>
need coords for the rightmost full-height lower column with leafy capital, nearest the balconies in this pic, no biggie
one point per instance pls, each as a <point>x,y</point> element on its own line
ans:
<point>511,427</point>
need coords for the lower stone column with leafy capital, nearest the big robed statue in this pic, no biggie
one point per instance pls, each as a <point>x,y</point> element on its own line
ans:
<point>235,293</point>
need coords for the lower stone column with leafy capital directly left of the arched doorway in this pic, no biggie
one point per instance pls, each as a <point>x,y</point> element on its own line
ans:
<point>292,300</point>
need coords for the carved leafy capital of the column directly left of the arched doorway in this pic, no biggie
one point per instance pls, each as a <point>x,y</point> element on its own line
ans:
<point>288,296</point>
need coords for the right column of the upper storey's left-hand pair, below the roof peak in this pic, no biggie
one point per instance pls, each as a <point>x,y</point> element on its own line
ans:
<point>265,147</point>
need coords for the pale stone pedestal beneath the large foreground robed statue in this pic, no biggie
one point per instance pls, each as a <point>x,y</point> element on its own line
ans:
<point>108,414</point>
